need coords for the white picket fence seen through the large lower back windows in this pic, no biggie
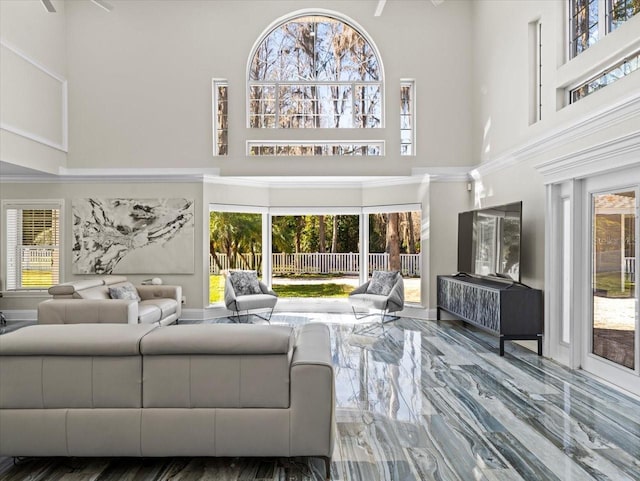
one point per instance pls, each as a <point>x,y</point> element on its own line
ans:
<point>314,263</point>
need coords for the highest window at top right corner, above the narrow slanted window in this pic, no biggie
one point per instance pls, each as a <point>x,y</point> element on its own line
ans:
<point>590,20</point>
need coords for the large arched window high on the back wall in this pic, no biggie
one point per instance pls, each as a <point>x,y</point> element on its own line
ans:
<point>315,71</point>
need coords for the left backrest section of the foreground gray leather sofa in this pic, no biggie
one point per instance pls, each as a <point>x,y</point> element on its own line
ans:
<point>72,366</point>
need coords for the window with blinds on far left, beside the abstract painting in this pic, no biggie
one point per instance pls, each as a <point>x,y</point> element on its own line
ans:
<point>32,246</point>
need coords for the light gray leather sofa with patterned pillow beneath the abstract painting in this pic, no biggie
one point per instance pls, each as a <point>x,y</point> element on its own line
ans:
<point>88,301</point>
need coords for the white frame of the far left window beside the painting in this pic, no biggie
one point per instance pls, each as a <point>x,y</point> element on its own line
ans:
<point>30,204</point>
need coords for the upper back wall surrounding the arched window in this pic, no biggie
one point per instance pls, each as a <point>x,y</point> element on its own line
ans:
<point>141,75</point>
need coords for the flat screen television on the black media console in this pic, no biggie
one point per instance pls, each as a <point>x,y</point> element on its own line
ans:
<point>489,241</point>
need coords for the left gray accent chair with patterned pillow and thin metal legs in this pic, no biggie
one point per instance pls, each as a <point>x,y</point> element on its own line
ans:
<point>243,291</point>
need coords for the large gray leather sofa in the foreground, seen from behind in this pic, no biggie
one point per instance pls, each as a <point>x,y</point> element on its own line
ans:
<point>207,390</point>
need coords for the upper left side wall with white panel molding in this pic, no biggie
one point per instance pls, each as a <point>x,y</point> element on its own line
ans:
<point>33,65</point>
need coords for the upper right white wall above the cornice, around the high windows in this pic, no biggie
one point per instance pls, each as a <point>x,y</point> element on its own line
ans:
<point>501,74</point>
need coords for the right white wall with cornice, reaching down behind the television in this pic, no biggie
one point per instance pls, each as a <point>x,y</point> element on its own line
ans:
<point>505,145</point>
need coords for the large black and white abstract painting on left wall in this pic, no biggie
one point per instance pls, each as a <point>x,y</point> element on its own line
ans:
<point>133,236</point>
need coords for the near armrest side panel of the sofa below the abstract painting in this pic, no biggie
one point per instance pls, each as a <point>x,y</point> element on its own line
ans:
<point>95,311</point>
